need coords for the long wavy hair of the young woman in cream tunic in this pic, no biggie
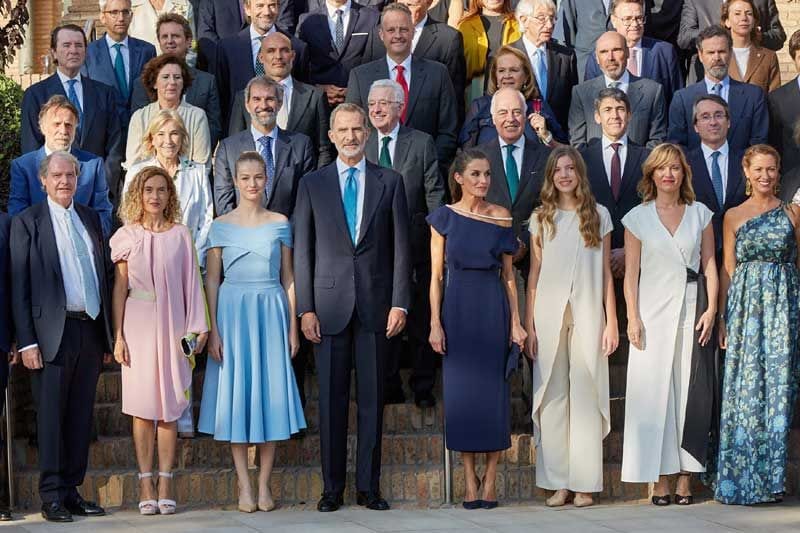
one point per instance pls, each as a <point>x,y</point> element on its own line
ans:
<point>588,217</point>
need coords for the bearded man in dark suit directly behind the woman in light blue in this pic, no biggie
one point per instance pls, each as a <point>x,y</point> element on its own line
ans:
<point>289,156</point>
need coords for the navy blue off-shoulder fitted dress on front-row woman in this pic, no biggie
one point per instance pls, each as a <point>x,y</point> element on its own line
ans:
<point>476,322</point>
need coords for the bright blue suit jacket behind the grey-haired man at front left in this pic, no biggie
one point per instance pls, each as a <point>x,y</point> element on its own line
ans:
<point>91,191</point>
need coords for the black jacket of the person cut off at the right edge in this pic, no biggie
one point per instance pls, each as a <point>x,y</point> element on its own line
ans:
<point>784,111</point>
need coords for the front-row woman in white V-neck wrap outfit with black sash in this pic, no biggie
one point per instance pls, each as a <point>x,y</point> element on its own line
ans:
<point>667,240</point>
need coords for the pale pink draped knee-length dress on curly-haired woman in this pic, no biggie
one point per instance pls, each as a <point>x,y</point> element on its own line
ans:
<point>165,302</point>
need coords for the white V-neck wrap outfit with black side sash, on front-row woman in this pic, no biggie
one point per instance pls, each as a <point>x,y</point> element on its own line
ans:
<point>659,375</point>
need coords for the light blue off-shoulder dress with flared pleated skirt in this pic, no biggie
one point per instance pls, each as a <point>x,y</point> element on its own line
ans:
<point>251,397</point>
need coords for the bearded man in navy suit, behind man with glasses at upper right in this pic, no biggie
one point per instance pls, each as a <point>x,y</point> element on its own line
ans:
<point>747,103</point>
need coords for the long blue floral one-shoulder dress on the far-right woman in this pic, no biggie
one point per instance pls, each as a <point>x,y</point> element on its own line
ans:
<point>762,368</point>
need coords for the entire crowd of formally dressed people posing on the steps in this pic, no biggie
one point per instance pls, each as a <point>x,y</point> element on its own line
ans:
<point>260,180</point>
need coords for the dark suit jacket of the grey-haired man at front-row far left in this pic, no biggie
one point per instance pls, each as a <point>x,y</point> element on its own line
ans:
<point>39,302</point>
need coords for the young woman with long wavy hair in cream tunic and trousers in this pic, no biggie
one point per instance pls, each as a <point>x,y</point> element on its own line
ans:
<point>571,322</point>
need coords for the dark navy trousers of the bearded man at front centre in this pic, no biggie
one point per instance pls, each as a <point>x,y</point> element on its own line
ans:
<point>335,356</point>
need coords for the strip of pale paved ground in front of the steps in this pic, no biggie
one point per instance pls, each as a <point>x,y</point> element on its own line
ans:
<point>704,517</point>
